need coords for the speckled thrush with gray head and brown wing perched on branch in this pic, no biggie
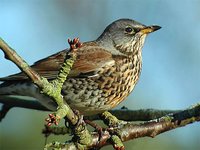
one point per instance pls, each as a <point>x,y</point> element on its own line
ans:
<point>104,73</point>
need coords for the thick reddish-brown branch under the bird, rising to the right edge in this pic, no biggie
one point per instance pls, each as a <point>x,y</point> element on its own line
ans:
<point>129,130</point>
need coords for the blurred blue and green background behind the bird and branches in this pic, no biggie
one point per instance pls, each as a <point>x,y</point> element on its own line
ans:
<point>170,77</point>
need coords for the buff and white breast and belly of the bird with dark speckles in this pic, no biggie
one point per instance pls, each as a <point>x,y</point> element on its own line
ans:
<point>112,85</point>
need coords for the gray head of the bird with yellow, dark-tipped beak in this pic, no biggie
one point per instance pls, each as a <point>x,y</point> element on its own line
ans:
<point>125,35</point>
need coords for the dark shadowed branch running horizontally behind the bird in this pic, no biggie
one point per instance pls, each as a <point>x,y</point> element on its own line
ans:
<point>122,114</point>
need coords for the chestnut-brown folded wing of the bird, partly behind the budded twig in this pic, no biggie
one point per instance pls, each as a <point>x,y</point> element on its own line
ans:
<point>90,58</point>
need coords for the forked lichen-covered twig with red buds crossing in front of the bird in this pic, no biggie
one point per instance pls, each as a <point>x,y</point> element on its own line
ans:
<point>53,89</point>
